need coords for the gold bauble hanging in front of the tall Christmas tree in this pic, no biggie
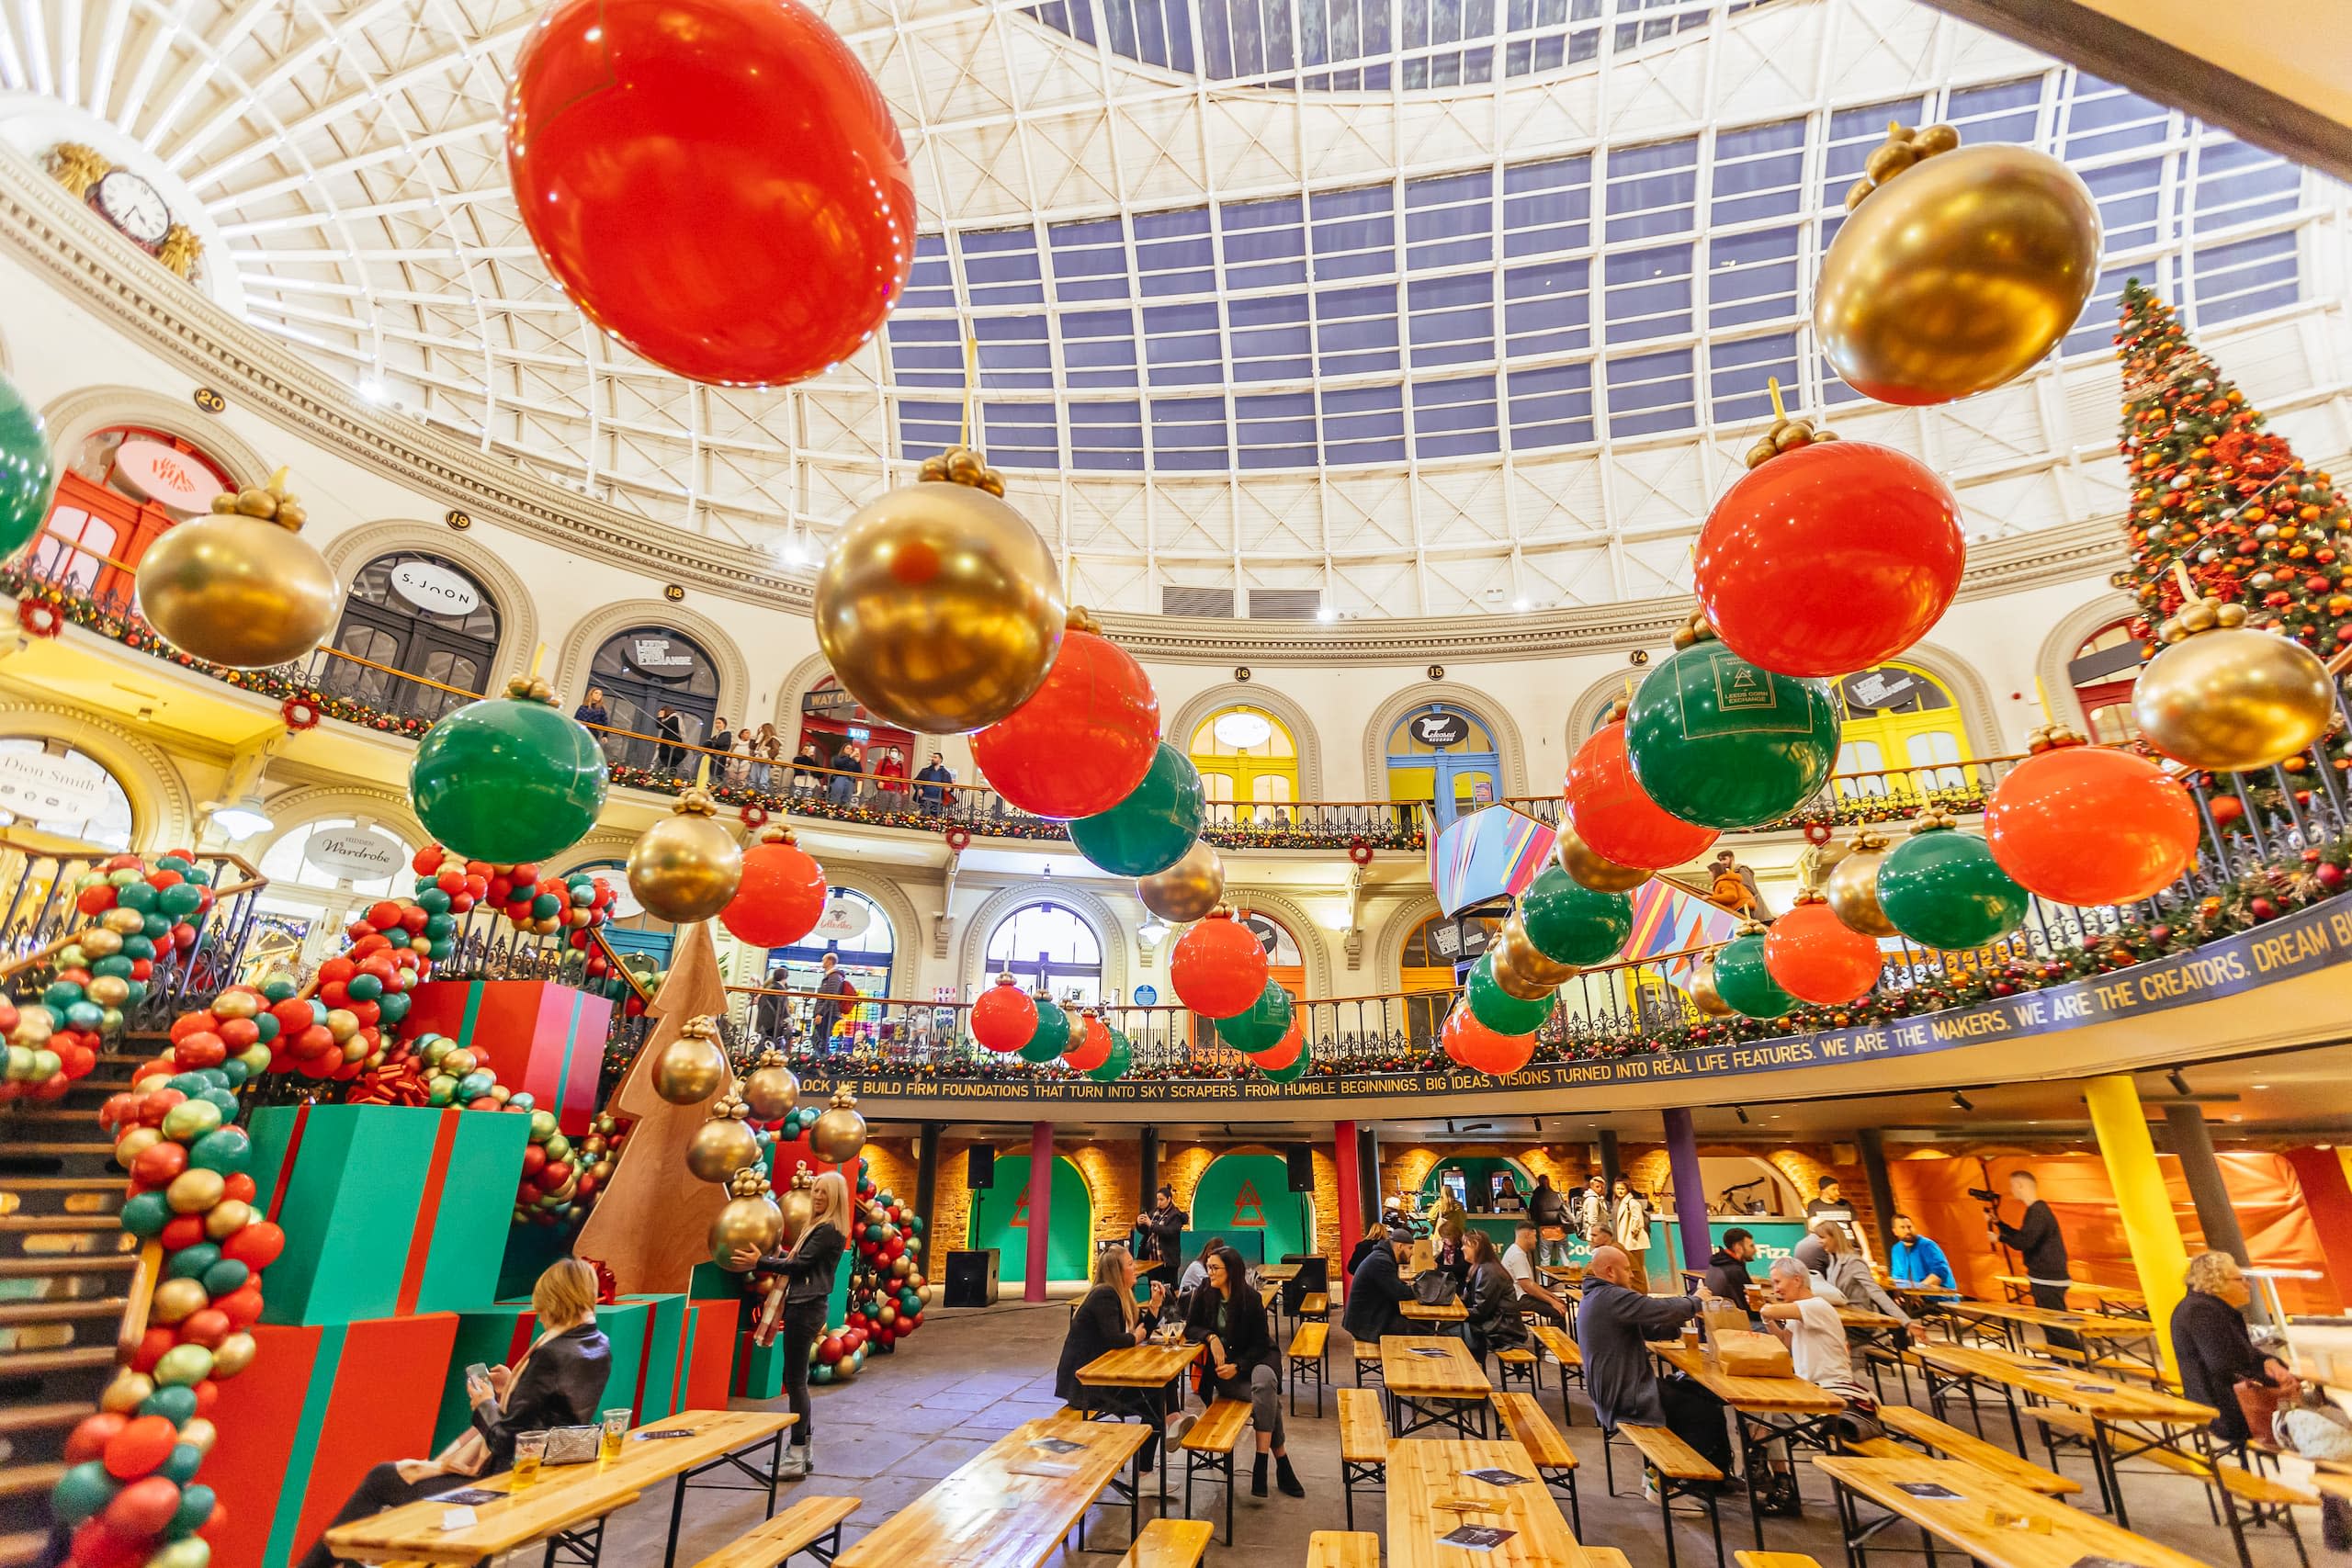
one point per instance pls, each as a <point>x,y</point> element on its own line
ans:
<point>2233,699</point>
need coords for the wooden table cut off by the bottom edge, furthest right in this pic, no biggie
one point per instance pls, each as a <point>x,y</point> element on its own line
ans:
<point>1972,1517</point>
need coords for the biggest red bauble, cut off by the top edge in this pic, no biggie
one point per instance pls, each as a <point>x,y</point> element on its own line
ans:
<point>714,182</point>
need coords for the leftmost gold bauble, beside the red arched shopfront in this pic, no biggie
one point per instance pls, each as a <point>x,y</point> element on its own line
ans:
<point>239,591</point>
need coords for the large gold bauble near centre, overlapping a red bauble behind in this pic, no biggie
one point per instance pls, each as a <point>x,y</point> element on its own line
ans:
<point>940,608</point>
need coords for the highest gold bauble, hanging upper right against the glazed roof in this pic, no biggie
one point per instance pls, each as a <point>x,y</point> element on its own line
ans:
<point>1958,274</point>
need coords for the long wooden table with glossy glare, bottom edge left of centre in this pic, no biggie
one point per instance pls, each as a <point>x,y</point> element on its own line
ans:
<point>1010,1506</point>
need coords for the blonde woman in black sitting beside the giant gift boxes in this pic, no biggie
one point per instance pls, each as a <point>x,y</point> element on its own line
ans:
<point>556,1383</point>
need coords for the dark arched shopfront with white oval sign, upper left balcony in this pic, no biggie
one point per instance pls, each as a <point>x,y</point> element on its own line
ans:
<point>420,615</point>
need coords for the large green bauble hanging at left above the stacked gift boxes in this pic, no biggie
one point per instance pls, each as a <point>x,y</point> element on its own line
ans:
<point>509,779</point>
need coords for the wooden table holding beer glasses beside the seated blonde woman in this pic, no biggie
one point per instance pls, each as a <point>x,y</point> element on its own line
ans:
<point>568,1496</point>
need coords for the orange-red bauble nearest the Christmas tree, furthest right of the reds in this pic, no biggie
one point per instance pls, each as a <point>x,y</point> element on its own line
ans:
<point>2085,824</point>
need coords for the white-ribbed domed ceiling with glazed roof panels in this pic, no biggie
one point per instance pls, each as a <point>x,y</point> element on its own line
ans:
<point>1278,328</point>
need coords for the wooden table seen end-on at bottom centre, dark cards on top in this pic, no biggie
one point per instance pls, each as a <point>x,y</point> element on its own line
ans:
<point>1429,1494</point>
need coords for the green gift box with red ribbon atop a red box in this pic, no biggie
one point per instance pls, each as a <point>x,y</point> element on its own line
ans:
<point>389,1209</point>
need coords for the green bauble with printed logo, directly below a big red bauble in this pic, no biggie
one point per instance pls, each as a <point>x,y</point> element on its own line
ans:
<point>1723,744</point>
